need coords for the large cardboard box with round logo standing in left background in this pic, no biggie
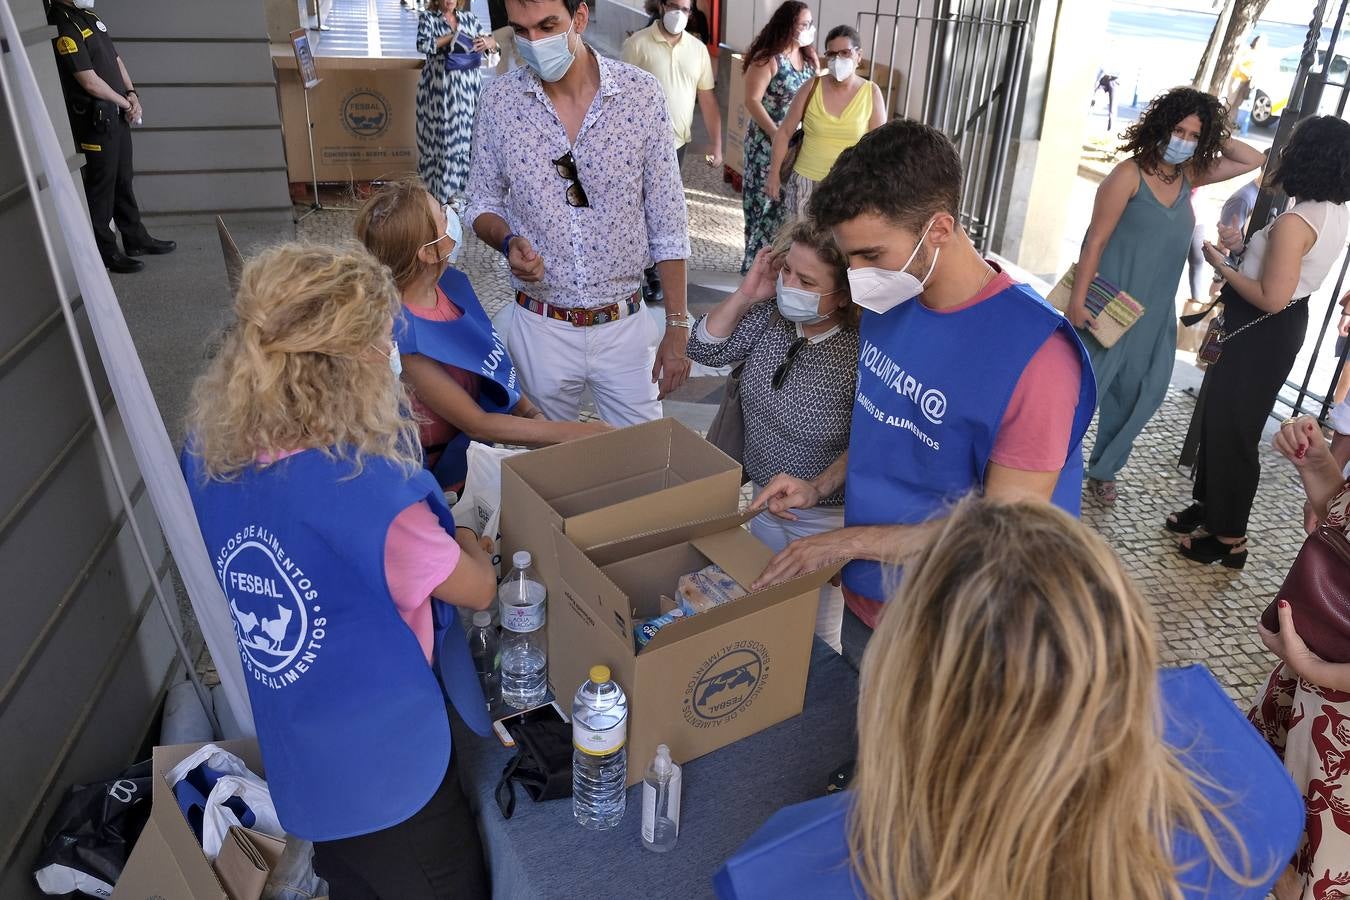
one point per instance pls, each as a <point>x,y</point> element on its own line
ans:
<point>364,113</point>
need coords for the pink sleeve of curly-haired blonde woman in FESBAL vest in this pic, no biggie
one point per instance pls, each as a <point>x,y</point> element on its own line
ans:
<point>419,555</point>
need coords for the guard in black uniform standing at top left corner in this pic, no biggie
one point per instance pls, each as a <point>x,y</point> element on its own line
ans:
<point>103,105</point>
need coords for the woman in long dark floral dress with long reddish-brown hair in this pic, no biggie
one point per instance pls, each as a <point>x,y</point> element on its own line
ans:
<point>781,60</point>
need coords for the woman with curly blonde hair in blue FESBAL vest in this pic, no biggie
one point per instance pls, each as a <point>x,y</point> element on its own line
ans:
<point>340,558</point>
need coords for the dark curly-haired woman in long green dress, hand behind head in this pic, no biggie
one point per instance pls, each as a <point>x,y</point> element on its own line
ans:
<point>1139,241</point>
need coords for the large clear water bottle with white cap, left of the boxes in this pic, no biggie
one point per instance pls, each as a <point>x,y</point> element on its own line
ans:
<point>522,598</point>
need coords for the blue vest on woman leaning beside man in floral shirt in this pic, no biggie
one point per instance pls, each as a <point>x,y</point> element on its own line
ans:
<point>469,343</point>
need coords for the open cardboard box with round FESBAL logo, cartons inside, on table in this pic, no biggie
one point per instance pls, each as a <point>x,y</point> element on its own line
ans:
<point>704,682</point>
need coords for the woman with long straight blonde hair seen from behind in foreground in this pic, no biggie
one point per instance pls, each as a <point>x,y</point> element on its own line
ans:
<point>1017,741</point>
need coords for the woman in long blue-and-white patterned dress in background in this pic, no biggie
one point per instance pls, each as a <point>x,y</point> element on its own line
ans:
<point>453,40</point>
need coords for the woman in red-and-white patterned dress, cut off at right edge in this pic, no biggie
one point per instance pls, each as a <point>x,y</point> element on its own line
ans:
<point>1305,712</point>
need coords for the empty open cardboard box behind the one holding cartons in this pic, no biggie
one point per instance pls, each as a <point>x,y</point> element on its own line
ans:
<point>612,486</point>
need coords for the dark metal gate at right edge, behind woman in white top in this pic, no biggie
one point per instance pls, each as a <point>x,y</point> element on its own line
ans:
<point>1320,88</point>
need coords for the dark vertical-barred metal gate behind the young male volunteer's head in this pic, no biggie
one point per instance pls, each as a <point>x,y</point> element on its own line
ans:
<point>956,65</point>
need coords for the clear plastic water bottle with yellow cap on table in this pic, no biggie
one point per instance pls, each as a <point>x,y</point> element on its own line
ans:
<point>600,762</point>
